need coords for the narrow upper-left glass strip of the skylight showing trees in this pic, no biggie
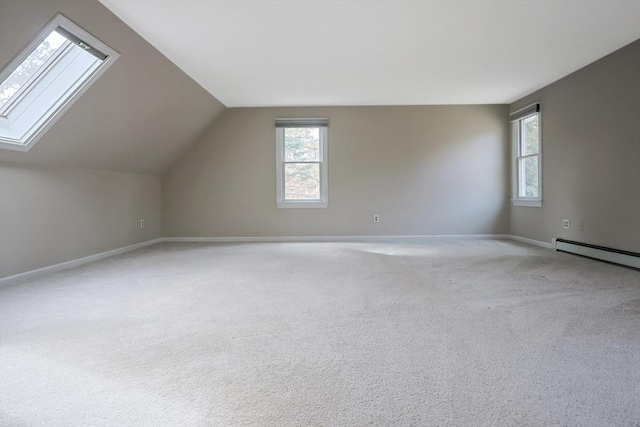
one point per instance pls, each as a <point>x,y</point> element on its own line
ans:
<point>30,66</point>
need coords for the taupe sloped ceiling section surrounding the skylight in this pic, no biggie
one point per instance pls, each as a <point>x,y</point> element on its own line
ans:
<point>138,117</point>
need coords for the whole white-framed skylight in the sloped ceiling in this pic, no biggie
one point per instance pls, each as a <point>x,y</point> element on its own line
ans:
<point>46,78</point>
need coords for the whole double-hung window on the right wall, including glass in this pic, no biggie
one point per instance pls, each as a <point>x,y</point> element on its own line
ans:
<point>527,156</point>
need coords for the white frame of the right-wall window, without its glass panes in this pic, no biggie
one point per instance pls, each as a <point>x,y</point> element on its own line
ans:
<point>516,119</point>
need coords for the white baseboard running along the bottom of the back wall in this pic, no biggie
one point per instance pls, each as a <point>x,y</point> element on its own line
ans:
<point>266,239</point>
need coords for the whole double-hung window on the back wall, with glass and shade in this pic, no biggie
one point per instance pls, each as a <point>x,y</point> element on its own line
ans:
<point>301,163</point>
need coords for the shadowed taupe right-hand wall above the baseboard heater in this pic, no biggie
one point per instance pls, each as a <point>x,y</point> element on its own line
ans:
<point>591,155</point>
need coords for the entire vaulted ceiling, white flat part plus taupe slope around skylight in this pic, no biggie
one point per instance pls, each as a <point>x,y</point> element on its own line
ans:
<point>164,90</point>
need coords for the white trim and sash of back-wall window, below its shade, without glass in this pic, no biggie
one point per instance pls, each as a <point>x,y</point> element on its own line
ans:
<point>323,202</point>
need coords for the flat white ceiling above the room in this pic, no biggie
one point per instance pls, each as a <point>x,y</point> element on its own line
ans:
<point>288,53</point>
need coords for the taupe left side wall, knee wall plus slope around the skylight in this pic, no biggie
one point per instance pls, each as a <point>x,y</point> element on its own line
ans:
<point>138,117</point>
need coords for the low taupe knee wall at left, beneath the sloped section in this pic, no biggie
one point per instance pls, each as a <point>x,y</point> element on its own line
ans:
<point>48,216</point>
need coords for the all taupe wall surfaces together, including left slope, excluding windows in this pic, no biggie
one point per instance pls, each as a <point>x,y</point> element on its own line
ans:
<point>423,169</point>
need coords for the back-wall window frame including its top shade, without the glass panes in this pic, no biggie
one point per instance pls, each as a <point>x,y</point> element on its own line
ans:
<point>281,163</point>
